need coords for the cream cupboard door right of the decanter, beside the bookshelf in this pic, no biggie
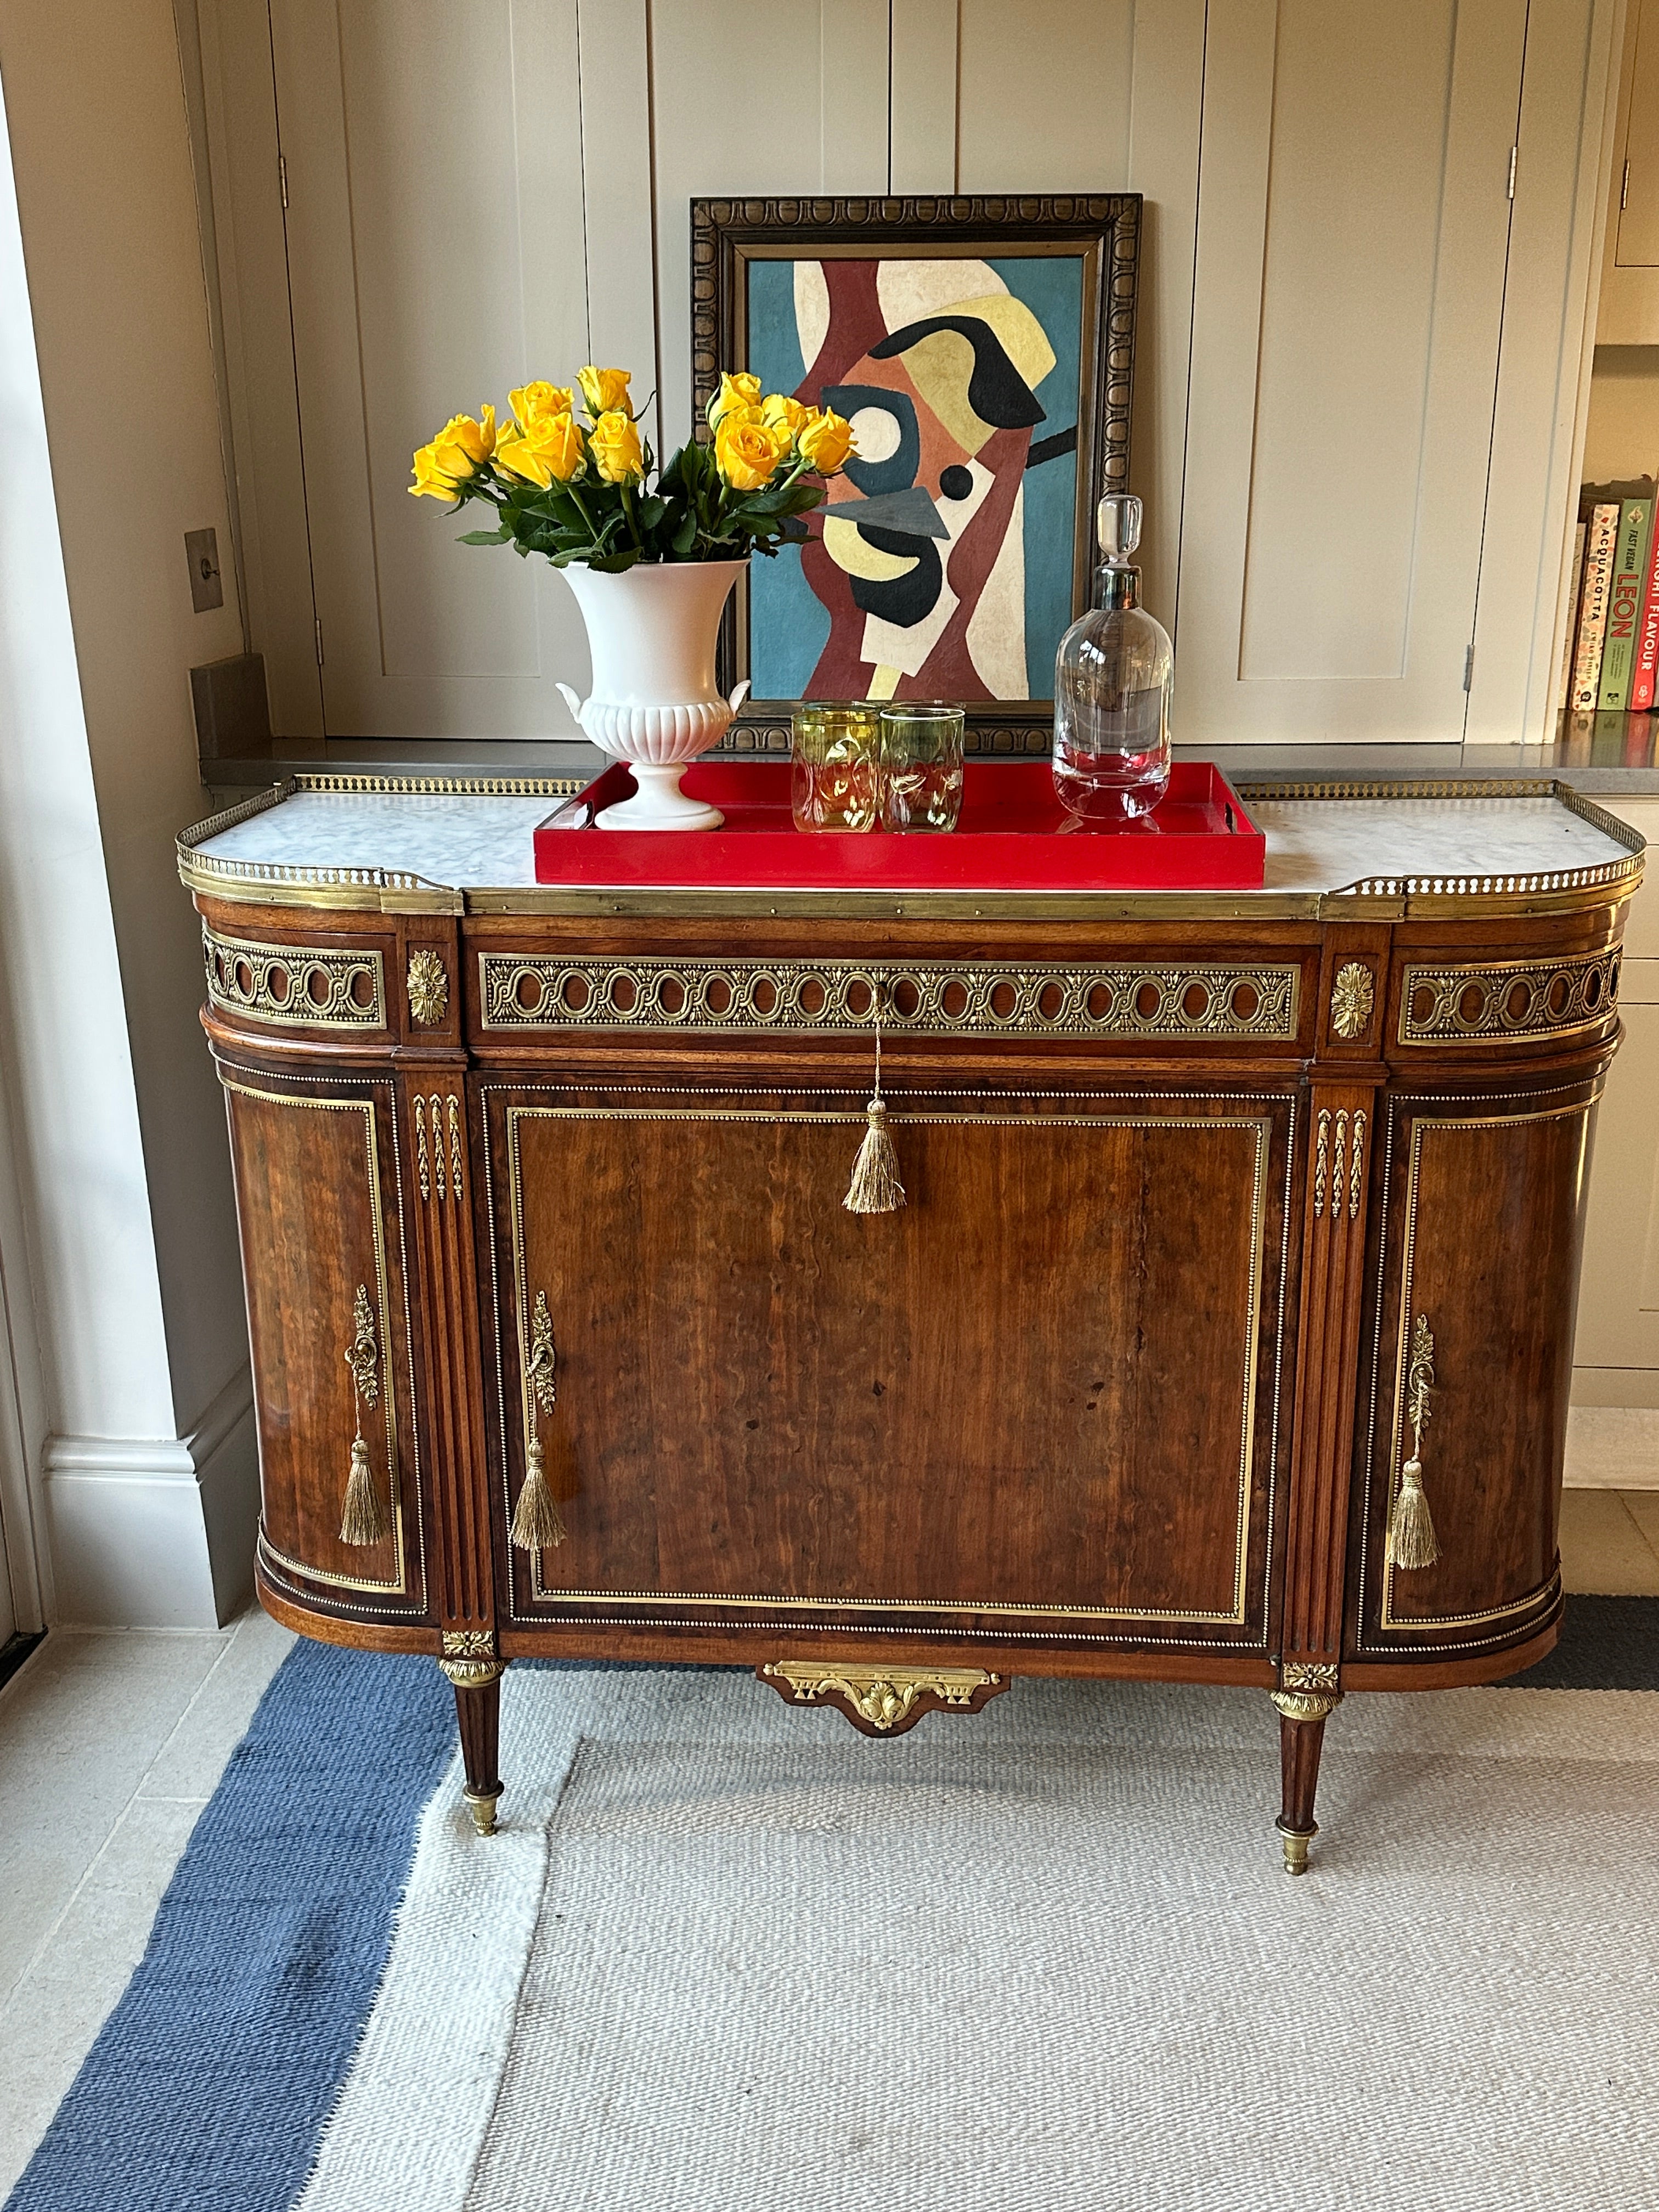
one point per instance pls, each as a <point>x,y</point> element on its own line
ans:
<point>1348,304</point>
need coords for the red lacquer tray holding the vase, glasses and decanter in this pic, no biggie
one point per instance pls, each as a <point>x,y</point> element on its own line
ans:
<point>1014,837</point>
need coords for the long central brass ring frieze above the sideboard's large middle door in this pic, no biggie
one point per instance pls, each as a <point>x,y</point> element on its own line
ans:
<point>1027,1001</point>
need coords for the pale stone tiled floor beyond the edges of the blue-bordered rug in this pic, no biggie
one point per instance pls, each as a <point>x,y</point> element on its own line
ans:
<point>112,1746</point>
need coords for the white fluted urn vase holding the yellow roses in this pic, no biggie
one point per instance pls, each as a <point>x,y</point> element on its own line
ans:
<point>654,702</point>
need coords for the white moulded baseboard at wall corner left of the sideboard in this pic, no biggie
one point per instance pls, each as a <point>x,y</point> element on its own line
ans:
<point>156,1532</point>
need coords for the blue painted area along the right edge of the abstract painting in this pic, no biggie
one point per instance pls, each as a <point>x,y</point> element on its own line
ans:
<point>1054,289</point>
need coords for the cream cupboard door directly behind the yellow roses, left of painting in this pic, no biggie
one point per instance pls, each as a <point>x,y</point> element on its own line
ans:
<point>435,258</point>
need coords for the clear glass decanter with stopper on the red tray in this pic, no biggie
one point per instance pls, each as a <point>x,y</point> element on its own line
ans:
<point>1114,689</point>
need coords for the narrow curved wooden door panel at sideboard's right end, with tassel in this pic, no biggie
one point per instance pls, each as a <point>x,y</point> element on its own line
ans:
<point>1483,1207</point>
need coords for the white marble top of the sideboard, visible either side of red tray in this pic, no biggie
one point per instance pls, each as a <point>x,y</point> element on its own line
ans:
<point>1313,844</point>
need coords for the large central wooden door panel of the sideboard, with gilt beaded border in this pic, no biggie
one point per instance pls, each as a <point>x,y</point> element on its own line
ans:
<point>1041,1399</point>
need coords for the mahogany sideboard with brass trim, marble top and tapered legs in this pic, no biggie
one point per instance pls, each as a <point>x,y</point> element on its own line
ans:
<point>1229,1218</point>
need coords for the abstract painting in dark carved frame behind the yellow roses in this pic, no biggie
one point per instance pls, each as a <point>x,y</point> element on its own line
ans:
<point>985,355</point>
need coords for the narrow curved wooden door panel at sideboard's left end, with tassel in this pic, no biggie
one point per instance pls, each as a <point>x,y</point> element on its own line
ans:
<point>320,1222</point>
